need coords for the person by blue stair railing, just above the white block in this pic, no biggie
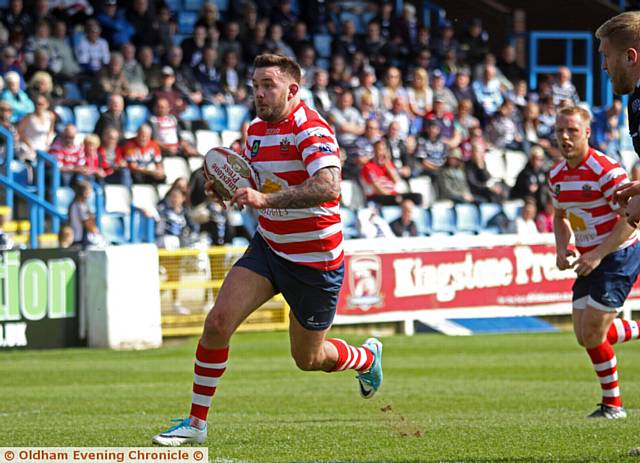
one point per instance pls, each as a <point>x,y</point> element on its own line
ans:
<point>81,219</point>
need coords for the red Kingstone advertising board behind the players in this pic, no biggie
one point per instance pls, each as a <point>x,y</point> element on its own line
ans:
<point>515,275</point>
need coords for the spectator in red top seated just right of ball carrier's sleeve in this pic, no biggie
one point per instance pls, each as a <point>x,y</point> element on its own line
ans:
<point>379,177</point>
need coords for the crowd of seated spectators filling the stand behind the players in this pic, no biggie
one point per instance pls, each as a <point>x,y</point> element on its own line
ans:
<point>405,100</point>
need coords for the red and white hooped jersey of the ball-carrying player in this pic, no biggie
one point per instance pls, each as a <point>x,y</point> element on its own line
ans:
<point>286,154</point>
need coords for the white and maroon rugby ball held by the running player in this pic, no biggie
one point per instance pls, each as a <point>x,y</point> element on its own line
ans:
<point>228,171</point>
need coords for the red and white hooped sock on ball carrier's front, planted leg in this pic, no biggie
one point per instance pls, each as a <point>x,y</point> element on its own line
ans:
<point>209,367</point>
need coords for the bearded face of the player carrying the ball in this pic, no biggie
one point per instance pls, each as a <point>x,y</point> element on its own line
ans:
<point>272,89</point>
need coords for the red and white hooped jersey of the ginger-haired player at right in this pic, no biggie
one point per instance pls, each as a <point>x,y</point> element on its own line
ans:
<point>585,193</point>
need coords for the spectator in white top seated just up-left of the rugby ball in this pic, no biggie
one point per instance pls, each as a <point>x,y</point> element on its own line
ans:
<point>165,131</point>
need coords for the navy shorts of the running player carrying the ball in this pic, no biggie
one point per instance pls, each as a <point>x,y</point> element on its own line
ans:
<point>312,294</point>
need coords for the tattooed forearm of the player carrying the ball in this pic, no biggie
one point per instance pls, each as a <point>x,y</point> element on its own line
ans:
<point>323,186</point>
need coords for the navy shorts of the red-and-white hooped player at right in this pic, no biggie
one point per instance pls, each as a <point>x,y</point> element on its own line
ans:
<point>607,287</point>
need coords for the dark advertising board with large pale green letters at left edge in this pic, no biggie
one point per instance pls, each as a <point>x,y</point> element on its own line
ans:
<point>39,298</point>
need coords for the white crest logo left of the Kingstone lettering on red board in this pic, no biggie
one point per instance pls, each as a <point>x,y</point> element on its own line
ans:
<point>365,279</point>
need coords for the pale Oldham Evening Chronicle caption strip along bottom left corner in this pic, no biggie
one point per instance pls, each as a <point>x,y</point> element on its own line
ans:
<point>103,454</point>
